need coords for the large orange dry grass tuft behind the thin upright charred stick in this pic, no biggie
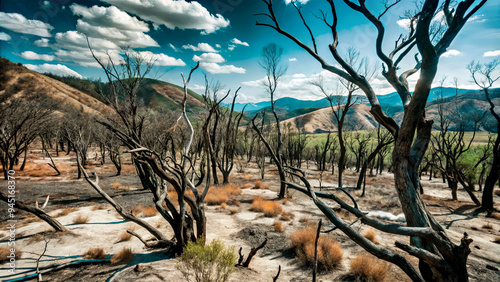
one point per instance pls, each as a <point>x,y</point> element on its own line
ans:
<point>330,252</point>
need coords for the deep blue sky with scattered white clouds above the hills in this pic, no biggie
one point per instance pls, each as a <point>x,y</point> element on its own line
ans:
<point>47,36</point>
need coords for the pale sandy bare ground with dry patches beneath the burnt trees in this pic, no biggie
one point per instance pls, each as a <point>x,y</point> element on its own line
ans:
<point>237,226</point>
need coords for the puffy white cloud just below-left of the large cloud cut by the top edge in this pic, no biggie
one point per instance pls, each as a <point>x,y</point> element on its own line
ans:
<point>114,25</point>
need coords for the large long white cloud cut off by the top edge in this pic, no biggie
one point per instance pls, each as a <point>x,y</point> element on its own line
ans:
<point>174,14</point>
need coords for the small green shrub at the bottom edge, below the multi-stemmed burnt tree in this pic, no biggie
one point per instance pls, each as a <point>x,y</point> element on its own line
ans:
<point>207,263</point>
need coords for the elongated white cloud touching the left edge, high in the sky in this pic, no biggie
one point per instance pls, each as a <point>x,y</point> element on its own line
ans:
<point>18,23</point>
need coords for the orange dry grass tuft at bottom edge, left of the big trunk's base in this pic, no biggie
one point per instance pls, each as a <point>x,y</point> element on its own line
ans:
<point>369,268</point>
